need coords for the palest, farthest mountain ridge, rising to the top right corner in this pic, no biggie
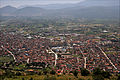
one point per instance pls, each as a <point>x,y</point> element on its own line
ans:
<point>86,3</point>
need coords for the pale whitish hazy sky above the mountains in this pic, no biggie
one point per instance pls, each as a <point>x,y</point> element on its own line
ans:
<point>17,3</point>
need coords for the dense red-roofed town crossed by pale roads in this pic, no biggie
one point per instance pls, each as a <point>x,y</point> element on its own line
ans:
<point>63,51</point>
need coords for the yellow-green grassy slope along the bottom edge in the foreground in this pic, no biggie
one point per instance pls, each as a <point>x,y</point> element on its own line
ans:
<point>51,77</point>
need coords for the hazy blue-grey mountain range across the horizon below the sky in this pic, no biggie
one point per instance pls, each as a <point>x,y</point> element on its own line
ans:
<point>86,9</point>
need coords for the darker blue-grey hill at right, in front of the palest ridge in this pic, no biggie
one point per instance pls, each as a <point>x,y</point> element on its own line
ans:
<point>94,12</point>
